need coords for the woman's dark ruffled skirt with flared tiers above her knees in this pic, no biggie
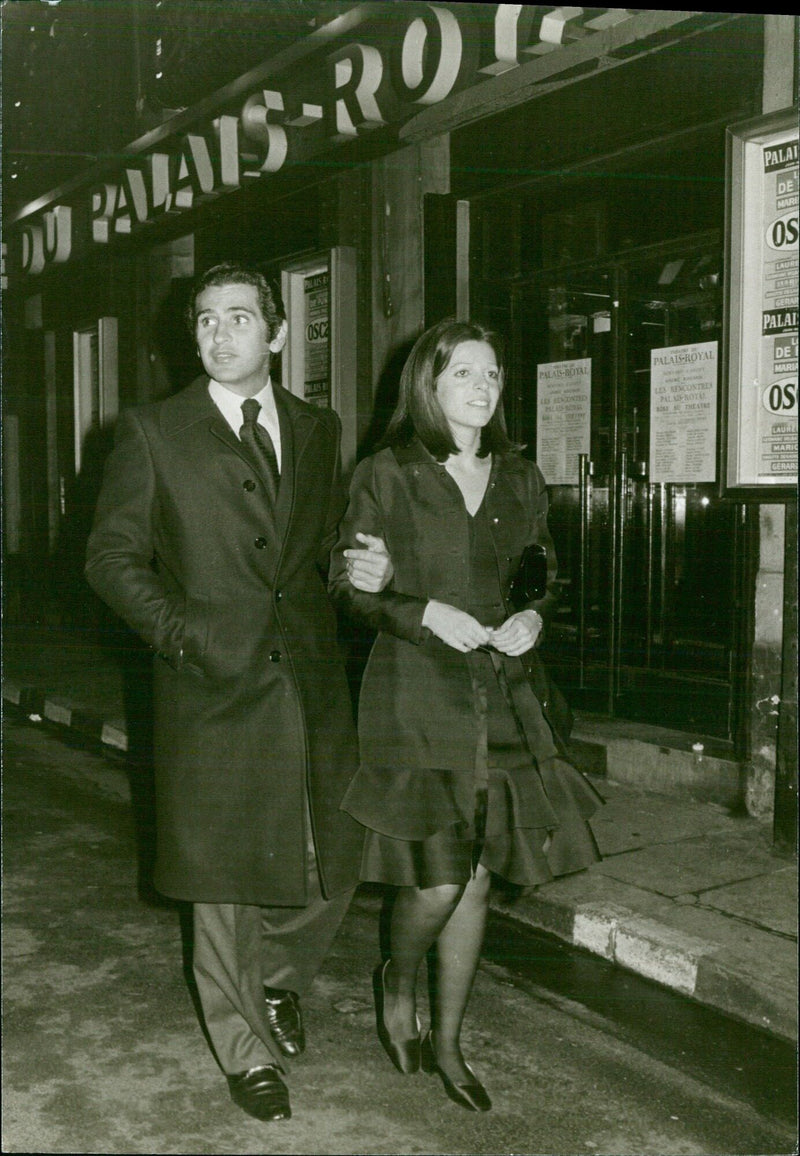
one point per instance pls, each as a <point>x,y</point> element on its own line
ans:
<point>522,811</point>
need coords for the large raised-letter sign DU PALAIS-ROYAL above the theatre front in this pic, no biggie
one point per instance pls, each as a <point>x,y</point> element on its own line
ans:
<point>335,95</point>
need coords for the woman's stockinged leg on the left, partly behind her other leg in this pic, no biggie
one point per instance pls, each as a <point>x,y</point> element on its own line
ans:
<point>418,918</point>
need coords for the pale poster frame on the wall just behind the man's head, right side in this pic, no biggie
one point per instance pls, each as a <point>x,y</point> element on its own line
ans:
<point>340,262</point>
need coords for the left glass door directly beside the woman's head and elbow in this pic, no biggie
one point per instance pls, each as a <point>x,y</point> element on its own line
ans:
<point>559,325</point>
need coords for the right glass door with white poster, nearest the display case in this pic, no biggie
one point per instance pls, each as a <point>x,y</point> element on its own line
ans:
<point>680,542</point>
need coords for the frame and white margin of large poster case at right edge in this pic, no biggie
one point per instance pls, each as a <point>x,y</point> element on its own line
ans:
<point>739,352</point>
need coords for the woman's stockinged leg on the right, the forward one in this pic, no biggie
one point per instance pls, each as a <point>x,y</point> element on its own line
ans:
<point>458,952</point>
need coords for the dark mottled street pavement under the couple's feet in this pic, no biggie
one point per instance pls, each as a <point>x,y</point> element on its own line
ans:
<point>103,1053</point>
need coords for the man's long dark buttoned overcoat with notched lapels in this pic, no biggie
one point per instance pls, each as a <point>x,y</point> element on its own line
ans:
<point>251,699</point>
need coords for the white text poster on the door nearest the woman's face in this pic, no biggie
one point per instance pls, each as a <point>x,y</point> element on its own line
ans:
<point>564,419</point>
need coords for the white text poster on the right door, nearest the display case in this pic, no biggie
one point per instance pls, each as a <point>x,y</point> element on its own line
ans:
<point>684,413</point>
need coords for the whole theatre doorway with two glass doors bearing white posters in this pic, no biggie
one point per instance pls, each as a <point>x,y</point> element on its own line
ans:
<point>650,558</point>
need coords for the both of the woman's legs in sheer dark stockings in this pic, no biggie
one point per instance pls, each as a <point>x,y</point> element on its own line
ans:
<point>454,918</point>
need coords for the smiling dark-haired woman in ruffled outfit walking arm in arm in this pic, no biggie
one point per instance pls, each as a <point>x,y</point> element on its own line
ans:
<point>461,774</point>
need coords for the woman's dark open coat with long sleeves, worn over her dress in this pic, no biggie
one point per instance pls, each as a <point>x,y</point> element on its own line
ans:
<point>418,707</point>
